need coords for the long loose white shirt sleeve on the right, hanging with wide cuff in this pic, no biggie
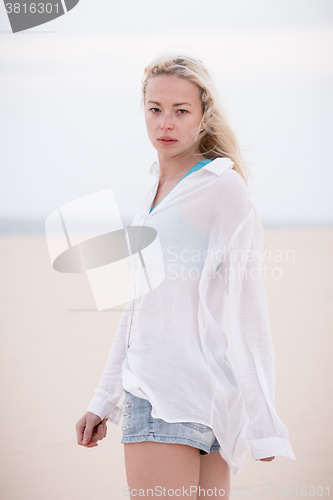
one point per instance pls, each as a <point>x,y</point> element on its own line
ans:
<point>249,341</point>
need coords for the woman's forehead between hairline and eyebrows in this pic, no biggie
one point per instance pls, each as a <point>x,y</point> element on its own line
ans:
<point>167,86</point>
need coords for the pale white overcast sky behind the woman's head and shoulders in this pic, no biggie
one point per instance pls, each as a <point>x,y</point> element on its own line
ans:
<point>71,123</point>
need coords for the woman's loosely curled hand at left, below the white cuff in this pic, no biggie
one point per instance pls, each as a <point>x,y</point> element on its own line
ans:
<point>90,429</point>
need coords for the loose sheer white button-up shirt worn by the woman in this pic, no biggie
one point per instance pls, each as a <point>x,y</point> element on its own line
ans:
<point>198,346</point>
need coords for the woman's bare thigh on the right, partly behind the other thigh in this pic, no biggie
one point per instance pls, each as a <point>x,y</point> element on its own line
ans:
<point>214,473</point>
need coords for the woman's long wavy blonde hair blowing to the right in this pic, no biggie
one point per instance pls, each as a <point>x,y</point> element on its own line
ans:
<point>214,136</point>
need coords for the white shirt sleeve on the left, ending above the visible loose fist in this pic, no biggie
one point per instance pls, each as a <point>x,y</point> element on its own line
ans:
<point>109,390</point>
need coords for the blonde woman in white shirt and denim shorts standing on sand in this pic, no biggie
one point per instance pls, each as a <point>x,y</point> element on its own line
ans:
<point>191,368</point>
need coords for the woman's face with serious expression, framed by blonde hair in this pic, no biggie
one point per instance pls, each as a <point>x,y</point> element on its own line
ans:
<point>172,109</point>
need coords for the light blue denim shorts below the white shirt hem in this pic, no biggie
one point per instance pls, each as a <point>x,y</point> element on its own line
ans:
<point>138,425</point>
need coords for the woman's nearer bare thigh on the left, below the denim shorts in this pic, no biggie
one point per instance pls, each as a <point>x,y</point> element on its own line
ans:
<point>162,468</point>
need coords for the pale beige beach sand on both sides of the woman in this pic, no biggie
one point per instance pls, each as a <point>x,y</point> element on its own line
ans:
<point>54,346</point>
